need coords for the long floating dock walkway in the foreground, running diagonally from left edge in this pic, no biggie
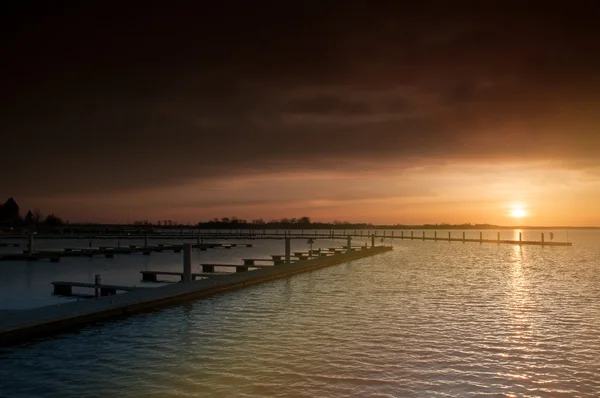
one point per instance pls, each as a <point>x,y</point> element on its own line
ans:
<point>17,326</point>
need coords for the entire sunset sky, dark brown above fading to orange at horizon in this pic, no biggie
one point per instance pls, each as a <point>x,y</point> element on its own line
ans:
<point>427,112</point>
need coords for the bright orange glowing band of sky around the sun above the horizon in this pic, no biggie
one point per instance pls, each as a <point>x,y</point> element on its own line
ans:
<point>454,194</point>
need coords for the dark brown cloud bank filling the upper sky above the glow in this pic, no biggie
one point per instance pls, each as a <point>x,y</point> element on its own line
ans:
<point>101,97</point>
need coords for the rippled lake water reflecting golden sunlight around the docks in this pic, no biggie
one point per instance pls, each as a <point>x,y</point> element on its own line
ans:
<point>427,319</point>
